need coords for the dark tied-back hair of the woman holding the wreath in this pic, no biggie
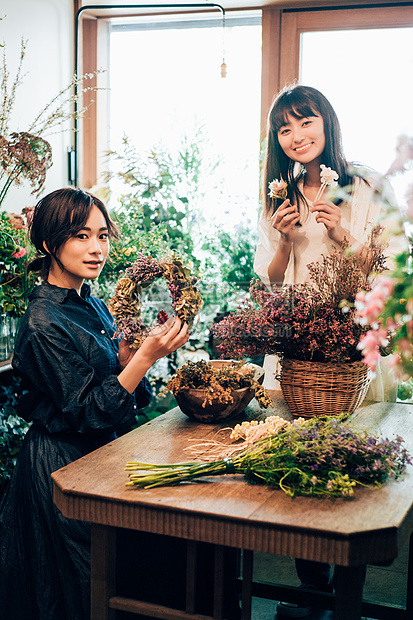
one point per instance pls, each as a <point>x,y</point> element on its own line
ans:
<point>59,216</point>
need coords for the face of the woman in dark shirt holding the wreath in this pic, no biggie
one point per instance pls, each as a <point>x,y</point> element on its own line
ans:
<point>83,255</point>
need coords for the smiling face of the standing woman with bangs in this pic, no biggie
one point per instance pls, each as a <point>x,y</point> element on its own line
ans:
<point>303,139</point>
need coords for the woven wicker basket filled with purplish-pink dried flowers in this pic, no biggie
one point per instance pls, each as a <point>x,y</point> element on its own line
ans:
<point>313,328</point>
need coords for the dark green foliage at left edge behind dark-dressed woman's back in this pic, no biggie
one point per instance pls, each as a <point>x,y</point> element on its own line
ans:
<point>12,428</point>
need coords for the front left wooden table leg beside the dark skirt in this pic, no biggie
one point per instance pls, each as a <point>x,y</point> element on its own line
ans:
<point>103,572</point>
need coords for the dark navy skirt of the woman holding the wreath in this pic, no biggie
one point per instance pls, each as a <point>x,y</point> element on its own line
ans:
<point>44,557</point>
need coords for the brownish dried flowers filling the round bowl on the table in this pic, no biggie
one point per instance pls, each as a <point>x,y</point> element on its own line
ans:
<point>218,383</point>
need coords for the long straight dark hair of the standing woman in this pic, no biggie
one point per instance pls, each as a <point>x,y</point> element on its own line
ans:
<point>300,102</point>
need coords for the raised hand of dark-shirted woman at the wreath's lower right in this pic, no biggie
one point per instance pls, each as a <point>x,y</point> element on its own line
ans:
<point>164,339</point>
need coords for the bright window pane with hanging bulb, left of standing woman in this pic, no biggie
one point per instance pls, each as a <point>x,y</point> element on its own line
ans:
<point>166,82</point>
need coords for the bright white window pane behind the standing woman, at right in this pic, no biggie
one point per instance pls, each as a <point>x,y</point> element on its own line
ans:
<point>366,74</point>
